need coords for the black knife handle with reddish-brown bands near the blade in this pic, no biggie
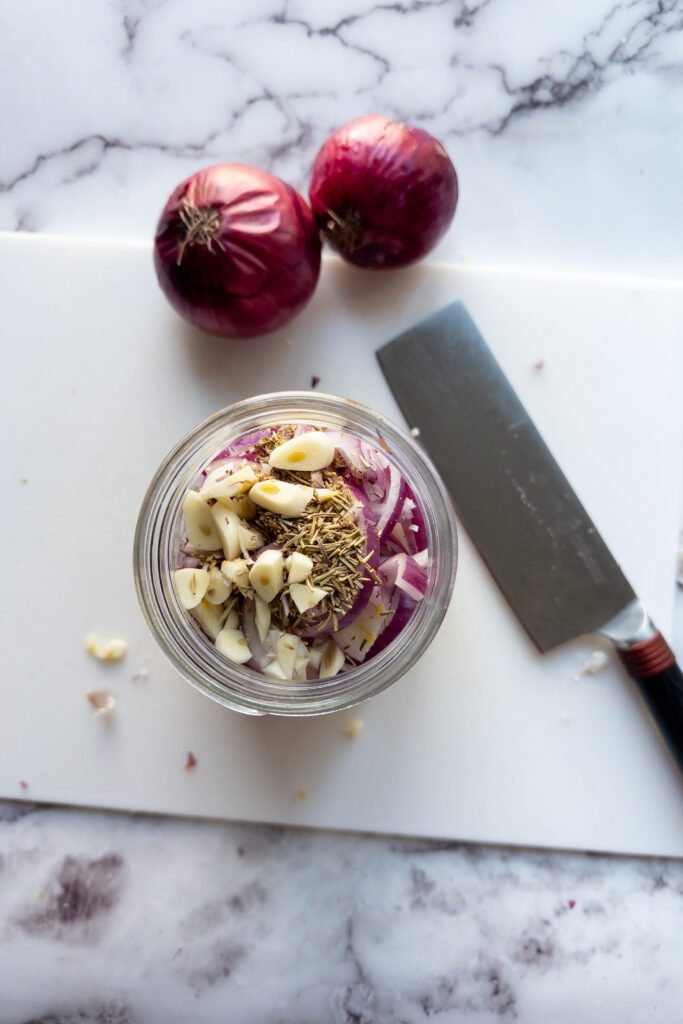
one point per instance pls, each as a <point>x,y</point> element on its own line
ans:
<point>653,664</point>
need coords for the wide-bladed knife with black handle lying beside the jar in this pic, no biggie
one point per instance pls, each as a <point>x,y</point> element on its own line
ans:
<point>537,539</point>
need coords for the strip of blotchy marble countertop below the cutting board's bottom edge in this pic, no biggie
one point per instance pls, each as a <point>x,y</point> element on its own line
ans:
<point>144,921</point>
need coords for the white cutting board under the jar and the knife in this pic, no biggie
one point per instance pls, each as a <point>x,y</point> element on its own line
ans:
<point>485,740</point>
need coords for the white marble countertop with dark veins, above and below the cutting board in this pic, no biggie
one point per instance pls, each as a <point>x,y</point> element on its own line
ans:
<point>564,122</point>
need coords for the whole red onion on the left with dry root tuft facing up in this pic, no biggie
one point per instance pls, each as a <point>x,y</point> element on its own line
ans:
<point>237,251</point>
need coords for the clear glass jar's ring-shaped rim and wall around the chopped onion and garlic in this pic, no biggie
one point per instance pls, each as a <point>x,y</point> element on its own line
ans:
<point>159,534</point>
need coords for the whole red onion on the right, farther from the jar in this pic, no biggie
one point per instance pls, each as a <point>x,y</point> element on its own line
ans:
<point>382,193</point>
